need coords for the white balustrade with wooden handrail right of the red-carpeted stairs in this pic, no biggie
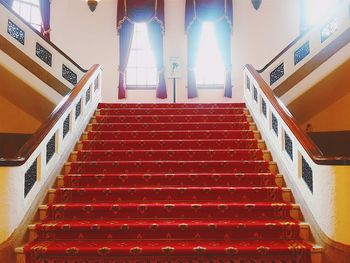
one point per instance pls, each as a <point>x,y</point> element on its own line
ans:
<point>320,183</point>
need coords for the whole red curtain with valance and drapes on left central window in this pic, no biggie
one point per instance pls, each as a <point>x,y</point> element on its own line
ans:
<point>135,11</point>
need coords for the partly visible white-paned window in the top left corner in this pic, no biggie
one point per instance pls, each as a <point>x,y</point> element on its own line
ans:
<point>29,10</point>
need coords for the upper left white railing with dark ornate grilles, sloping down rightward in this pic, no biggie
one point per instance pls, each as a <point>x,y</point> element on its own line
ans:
<point>28,40</point>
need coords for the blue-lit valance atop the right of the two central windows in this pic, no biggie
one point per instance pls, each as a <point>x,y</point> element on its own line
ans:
<point>208,10</point>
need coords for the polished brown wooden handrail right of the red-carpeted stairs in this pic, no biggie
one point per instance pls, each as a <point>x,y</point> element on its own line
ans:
<point>309,146</point>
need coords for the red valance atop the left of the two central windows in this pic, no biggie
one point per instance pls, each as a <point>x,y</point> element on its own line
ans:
<point>136,11</point>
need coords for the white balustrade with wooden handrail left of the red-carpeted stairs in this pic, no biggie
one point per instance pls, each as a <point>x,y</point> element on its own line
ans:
<point>40,159</point>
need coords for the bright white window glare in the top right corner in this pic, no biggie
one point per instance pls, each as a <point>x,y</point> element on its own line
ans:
<point>318,10</point>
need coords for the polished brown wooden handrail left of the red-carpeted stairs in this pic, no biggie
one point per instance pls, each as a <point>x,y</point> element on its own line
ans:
<point>32,144</point>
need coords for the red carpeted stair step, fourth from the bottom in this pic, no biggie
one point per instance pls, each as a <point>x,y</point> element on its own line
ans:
<point>171,194</point>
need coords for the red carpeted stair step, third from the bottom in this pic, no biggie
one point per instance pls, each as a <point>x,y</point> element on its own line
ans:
<point>194,210</point>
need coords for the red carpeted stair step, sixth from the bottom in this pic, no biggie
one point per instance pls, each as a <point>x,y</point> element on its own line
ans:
<point>170,167</point>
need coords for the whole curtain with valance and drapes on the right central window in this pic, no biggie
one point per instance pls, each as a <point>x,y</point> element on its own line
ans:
<point>221,13</point>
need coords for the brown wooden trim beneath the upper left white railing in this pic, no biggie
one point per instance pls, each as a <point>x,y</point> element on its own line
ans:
<point>12,51</point>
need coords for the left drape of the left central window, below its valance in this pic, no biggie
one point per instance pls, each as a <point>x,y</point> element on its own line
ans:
<point>125,38</point>
